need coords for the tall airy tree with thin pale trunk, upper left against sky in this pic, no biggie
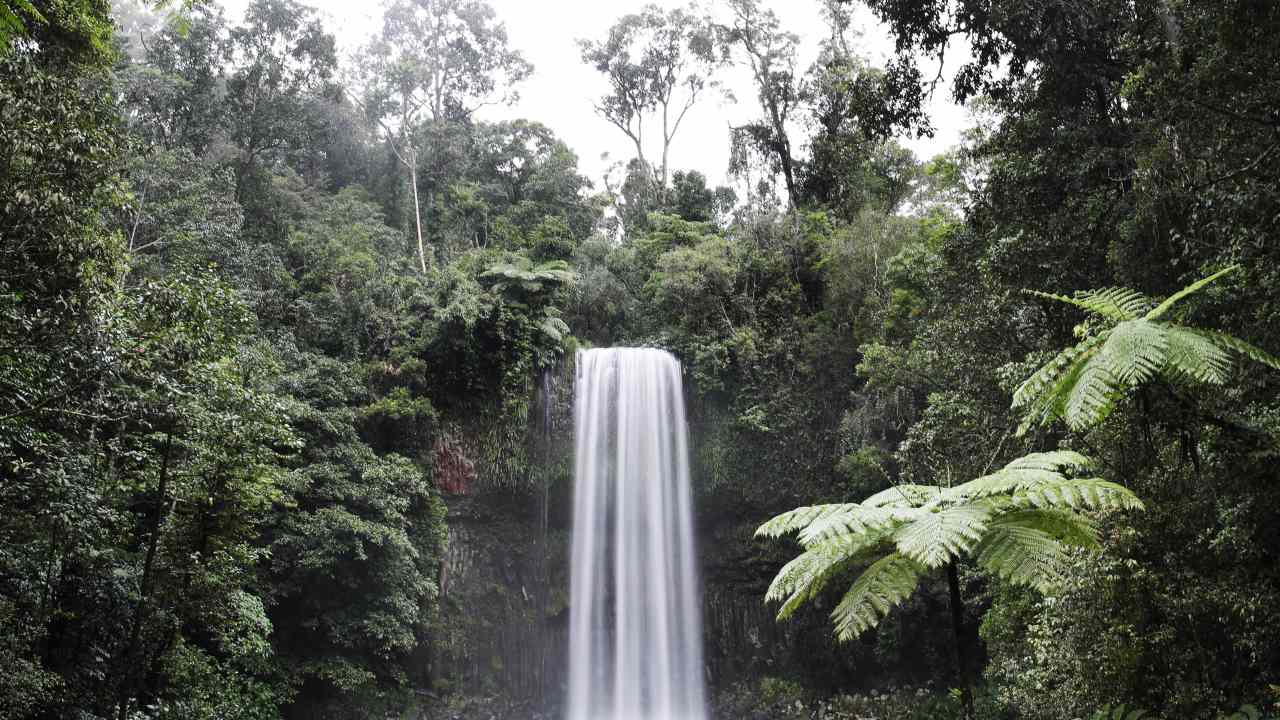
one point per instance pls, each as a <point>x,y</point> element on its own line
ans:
<point>435,63</point>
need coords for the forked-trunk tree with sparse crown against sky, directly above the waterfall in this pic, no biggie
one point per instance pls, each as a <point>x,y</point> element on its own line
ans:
<point>657,63</point>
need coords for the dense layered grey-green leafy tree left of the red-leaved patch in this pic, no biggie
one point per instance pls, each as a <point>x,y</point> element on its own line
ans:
<point>351,523</point>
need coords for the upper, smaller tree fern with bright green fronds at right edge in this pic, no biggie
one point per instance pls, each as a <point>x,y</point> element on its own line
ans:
<point>1133,345</point>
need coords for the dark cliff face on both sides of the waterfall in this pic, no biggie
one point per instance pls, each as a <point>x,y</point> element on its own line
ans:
<point>502,632</point>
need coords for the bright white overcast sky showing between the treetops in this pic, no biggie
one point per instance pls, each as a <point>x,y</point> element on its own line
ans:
<point>563,89</point>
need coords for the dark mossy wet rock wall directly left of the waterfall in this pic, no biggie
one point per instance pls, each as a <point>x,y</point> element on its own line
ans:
<point>500,639</point>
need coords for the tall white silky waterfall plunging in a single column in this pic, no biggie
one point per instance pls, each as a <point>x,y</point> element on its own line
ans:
<point>636,626</point>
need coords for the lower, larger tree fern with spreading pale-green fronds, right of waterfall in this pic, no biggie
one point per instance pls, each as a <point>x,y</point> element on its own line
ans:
<point>1018,523</point>
